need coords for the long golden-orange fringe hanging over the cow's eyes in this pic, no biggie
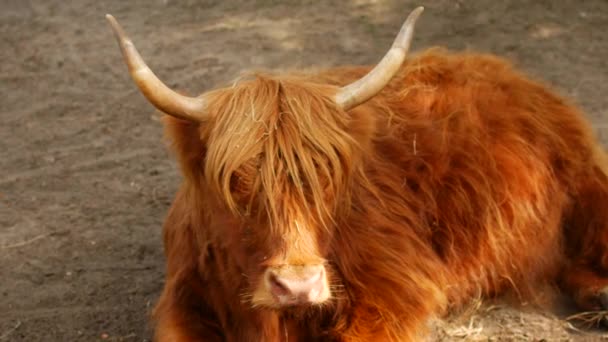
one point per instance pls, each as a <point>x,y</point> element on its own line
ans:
<point>279,142</point>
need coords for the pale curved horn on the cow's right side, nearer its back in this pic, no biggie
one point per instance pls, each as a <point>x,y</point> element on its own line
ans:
<point>364,89</point>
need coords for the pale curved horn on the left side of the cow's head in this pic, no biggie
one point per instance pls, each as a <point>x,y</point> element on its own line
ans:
<point>163,98</point>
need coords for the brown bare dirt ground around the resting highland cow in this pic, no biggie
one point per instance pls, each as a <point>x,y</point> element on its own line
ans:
<point>85,179</point>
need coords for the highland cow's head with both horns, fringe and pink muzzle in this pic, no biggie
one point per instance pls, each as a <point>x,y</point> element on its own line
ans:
<point>278,159</point>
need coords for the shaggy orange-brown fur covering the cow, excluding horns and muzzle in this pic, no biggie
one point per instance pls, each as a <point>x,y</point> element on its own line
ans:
<point>462,177</point>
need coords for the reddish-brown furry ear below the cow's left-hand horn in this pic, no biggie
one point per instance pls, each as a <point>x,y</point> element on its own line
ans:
<point>184,139</point>
